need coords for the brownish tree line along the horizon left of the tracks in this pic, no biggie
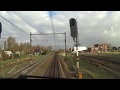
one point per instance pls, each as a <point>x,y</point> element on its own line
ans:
<point>10,44</point>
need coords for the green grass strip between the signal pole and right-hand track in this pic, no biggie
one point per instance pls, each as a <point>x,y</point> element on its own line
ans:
<point>95,72</point>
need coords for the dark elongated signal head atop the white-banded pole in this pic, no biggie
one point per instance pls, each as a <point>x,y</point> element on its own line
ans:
<point>73,28</point>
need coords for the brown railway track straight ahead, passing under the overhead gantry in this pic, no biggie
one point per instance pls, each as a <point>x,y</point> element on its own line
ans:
<point>58,69</point>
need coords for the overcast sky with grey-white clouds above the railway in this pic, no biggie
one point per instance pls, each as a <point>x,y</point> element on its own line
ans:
<point>93,27</point>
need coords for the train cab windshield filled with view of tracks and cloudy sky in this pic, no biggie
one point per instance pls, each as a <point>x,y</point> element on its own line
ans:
<point>59,44</point>
